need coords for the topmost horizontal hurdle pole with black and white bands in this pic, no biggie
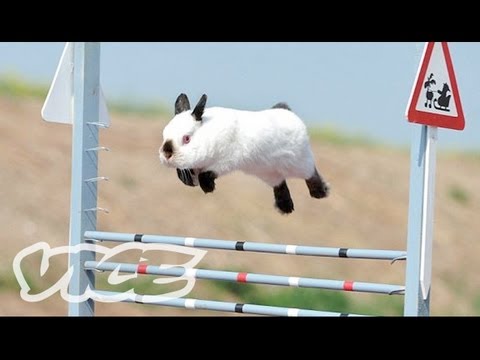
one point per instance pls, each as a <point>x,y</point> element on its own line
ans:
<point>250,246</point>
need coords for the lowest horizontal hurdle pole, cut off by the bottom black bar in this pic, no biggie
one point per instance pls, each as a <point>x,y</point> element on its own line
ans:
<point>199,304</point>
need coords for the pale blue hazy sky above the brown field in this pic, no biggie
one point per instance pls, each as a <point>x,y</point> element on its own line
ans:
<point>356,87</point>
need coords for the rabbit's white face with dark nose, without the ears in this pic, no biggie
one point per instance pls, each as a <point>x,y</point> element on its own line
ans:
<point>177,136</point>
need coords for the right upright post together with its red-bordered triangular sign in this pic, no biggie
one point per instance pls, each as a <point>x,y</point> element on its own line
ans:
<point>434,102</point>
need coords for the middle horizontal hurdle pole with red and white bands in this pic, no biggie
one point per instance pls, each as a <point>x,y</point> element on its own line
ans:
<point>241,277</point>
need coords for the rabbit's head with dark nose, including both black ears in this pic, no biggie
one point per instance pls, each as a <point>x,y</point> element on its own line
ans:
<point>180,132</point>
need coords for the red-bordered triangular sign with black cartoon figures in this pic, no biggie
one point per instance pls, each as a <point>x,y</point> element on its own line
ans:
<point>435,100</point>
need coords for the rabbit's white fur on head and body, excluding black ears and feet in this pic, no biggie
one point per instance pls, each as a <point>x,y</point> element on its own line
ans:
<point>271,144</point>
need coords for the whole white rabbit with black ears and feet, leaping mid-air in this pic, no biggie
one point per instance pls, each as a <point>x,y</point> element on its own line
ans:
<point>205,143</point>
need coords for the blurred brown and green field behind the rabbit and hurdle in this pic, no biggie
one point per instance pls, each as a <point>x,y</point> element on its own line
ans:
<point>367,208</point>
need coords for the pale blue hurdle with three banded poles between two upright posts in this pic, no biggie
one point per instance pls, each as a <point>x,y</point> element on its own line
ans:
<point>88,115</point>
